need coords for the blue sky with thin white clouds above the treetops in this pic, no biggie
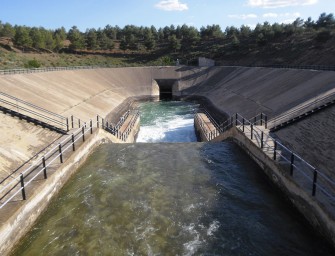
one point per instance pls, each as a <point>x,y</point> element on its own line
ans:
<point>52,14</point>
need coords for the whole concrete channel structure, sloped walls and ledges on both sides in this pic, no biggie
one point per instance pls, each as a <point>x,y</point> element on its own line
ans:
<point>109,92</point>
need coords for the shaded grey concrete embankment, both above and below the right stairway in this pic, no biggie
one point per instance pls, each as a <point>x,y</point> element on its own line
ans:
<point>250,91</point>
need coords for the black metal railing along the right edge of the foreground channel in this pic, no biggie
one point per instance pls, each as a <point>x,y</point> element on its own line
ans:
<point>309,178</point>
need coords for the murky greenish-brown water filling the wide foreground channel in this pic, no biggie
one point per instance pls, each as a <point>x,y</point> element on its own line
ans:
<point>170,199</point>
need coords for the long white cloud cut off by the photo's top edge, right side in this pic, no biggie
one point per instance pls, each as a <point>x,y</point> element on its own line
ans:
<point>280,3</point>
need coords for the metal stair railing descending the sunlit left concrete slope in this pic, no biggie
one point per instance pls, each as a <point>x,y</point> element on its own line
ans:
<point>25,109</point>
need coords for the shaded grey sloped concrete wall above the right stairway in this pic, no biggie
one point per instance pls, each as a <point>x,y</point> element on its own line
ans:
<point>250,91</point>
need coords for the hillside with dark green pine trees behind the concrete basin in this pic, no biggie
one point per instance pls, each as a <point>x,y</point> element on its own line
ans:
<point>303,42</point>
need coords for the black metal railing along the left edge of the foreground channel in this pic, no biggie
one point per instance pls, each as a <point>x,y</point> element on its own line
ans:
<point>15,185</point>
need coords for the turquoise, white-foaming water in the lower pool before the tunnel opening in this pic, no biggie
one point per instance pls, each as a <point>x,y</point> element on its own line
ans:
<point>167,121</point>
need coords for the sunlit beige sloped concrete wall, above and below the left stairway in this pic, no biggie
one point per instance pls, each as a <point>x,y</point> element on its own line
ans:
<point>82,93</point>
